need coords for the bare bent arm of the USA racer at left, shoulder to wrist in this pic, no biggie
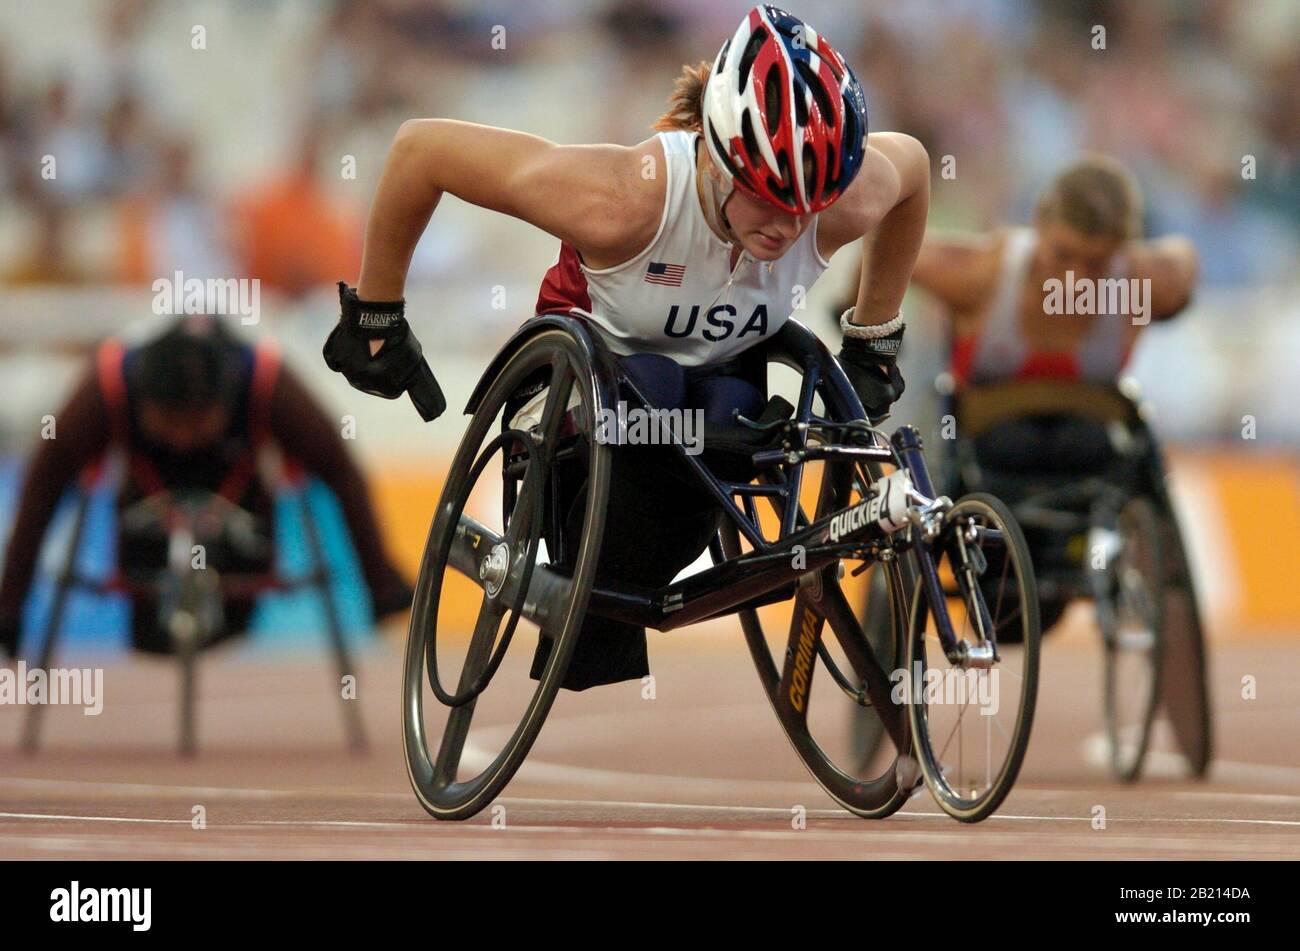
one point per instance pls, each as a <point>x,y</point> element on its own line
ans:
<point>579,194</point>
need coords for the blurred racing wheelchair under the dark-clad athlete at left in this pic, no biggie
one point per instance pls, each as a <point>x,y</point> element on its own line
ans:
<point>190,600</point>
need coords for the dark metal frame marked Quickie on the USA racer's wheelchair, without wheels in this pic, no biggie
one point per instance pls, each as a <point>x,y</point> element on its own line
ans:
<point>768,574</point>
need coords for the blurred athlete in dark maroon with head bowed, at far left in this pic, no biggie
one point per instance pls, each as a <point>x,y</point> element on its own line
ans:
<point>192,407</point>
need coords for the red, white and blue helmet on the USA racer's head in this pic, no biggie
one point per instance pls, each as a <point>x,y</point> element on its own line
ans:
<point>786,120</point>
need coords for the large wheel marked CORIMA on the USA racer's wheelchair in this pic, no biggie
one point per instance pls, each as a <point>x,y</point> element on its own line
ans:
<point>829,719</point>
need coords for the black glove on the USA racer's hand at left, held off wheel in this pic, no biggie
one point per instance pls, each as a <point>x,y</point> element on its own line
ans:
<point>398,368</point>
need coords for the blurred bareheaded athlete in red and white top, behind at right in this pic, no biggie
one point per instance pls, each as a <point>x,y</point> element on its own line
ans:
<point>1087,231</point>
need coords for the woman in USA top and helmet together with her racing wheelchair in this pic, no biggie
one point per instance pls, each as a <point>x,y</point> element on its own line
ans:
<point>671,281</point>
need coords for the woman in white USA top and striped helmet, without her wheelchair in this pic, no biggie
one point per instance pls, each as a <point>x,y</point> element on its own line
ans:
<point>684,251</point>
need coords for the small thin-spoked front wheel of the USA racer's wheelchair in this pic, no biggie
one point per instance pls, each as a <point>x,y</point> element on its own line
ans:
<point>972,720</point>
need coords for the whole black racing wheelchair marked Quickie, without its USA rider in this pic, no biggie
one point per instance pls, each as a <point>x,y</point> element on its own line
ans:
<point>820,487</point>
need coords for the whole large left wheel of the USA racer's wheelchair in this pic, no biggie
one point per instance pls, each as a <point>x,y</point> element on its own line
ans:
<point>528,458</point>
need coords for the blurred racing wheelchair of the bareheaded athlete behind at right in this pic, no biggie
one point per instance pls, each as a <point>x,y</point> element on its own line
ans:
<point>1102,527</point>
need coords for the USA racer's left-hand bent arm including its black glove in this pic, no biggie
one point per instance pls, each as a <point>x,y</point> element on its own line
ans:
<point>591,197</point>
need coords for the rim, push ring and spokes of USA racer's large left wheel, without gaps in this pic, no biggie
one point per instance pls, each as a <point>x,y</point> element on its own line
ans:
<point>435,774</point>
